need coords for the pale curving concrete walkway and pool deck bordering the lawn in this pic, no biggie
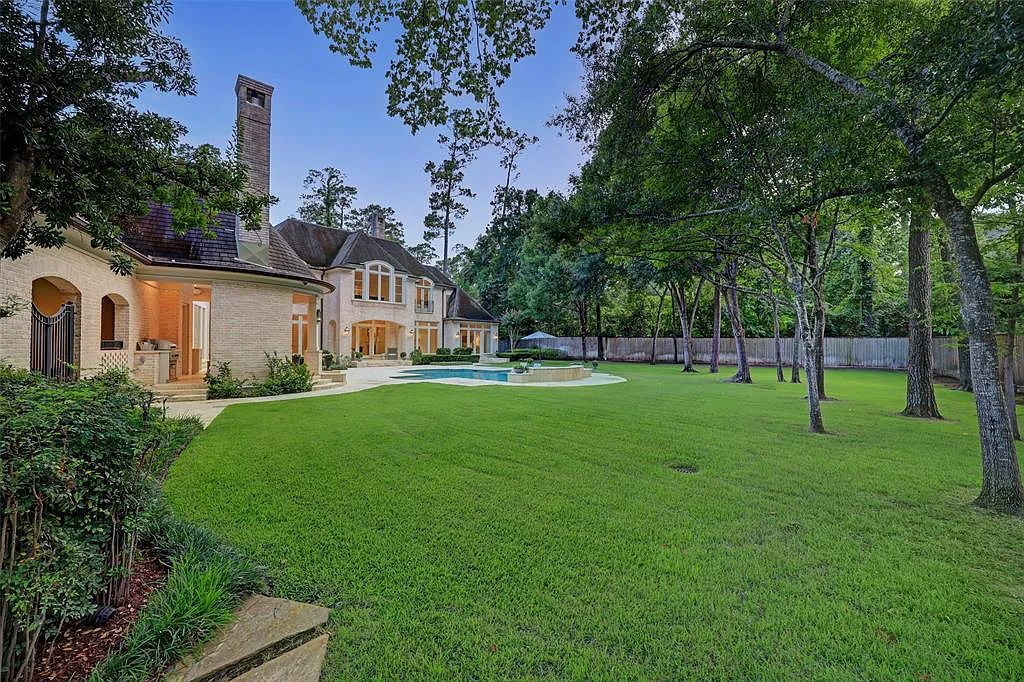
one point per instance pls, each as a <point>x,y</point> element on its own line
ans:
<point>362,378</point>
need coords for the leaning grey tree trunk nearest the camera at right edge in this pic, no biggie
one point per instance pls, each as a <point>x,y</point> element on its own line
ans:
<point>1001,472</point>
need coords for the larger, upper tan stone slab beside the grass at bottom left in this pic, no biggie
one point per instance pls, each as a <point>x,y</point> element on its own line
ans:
<point>259,626</point>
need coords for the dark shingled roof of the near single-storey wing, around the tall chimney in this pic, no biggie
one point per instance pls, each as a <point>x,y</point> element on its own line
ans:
<point>155,240</point>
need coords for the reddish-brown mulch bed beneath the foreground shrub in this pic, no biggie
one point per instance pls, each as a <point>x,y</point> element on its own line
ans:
<point>81,647</point>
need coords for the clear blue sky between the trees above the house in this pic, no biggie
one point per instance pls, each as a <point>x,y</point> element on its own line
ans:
<point>327,113</point>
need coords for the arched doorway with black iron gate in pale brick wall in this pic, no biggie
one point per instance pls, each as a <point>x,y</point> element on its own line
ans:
<point>57,323</point>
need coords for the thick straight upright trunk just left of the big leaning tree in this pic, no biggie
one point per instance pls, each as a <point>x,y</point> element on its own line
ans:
<point>920,391</point>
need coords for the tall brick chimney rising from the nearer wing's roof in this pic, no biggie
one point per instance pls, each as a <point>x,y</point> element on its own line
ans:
<point>254,148</point>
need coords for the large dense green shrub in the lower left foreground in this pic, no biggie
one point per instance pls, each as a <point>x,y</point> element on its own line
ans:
<point>78,492</point>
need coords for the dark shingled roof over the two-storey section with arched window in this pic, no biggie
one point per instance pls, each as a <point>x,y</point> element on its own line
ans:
<point>328,247</point>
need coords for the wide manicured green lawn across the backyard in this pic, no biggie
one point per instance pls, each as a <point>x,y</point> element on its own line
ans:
<point>522,532</point>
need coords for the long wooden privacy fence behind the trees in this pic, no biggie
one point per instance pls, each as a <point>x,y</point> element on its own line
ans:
<point>865,353</point>
